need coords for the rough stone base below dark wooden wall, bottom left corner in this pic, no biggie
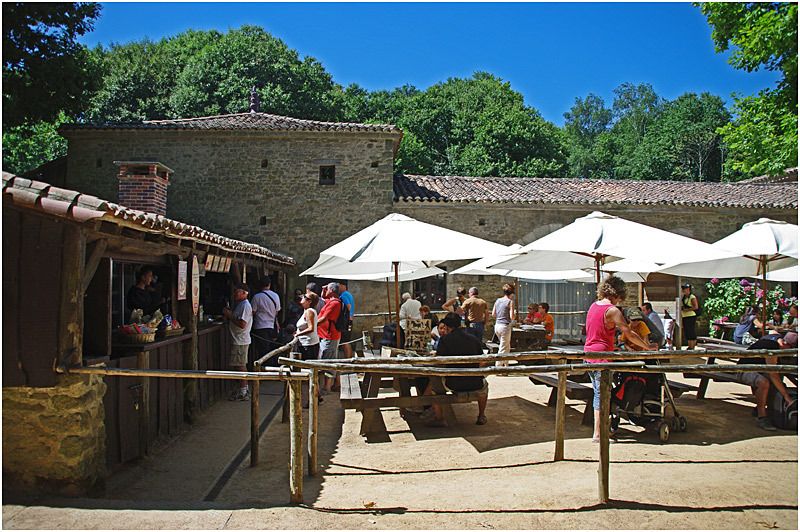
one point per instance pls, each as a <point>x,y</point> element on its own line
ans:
<point>54,438</point>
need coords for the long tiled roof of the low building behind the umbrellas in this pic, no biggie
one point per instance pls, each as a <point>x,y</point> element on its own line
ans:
<point>527,190</point>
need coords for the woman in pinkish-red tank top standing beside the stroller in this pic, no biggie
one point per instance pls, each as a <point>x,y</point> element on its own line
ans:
<point>602,321</point>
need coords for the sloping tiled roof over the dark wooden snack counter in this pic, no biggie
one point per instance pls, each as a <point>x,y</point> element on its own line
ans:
<point>83,207</point>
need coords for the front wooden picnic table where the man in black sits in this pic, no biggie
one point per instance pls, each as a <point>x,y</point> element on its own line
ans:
<point>363,396</point>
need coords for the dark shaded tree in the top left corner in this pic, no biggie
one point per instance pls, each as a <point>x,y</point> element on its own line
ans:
<point>45,70</point>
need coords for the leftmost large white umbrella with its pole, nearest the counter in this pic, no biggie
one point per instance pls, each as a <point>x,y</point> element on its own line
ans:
<point>398,239</point>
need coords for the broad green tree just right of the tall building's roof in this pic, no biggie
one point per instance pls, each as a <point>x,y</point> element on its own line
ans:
<point>477,126</point>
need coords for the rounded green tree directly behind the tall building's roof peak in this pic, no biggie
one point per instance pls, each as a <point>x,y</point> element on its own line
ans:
<point>217,79</point>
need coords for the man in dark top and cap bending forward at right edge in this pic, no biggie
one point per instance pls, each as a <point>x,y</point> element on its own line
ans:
<point>760,382</point>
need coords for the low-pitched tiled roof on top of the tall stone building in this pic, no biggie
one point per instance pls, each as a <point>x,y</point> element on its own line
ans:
<point>242,121</point>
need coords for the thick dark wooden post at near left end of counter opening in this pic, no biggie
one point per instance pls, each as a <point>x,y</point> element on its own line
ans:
<point>70,326</point>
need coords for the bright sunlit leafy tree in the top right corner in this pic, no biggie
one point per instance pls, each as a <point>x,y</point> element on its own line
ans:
<point>763,136</point>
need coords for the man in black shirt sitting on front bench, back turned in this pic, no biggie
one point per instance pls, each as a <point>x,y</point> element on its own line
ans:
<point>455,341</point>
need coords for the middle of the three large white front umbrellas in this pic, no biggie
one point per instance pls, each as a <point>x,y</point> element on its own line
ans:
<point>588,242</point>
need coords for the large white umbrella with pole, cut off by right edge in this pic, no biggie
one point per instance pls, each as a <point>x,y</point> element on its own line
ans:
<point>756,248</point>
